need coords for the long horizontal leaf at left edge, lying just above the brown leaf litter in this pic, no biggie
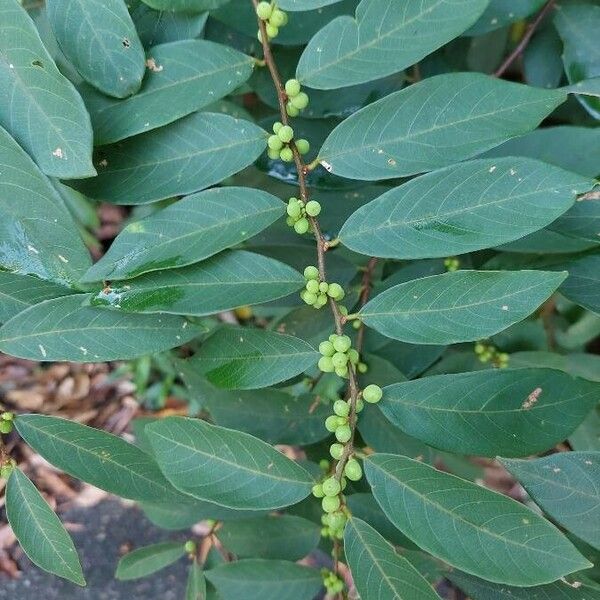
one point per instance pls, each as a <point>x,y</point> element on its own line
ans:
<point>69,329</point>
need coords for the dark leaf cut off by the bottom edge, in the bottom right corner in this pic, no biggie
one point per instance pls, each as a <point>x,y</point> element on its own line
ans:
<point>478,589</point>
